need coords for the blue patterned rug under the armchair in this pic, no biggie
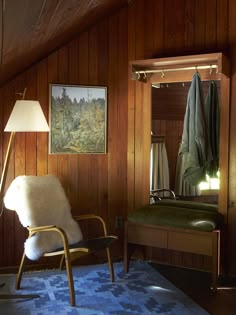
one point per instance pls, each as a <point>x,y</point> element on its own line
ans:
<point>142,291</point>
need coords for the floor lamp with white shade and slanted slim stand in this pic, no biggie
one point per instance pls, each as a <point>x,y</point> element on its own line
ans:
<point>26,116</point>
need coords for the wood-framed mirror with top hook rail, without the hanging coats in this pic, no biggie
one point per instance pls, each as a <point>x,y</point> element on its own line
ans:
<point>170,80</point>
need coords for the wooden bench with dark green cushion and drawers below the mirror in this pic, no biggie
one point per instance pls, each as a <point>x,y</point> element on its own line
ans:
<point>178,225</point>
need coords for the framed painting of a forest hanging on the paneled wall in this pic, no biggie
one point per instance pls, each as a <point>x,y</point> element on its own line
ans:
<point>77,119</point>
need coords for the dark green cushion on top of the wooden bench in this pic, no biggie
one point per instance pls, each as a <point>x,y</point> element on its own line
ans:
<point>179,215</point>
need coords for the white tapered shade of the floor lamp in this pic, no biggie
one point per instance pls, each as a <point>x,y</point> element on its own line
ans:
<point>27,116</point>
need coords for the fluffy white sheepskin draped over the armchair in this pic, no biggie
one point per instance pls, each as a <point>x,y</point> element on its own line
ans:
<point>41,200</point>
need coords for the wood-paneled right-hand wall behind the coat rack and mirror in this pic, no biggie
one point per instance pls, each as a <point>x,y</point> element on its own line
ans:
<point>160,28</point>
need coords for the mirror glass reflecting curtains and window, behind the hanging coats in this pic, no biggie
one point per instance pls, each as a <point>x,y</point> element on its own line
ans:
<point>169,103</point>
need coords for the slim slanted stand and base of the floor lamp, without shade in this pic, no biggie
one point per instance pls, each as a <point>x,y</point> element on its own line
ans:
<point>2,185</point>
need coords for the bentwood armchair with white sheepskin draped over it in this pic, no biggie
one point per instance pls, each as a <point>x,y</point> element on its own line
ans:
<point>40,201</point>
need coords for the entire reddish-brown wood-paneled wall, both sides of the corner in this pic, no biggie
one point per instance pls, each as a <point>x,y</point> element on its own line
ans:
<point>117,182</point>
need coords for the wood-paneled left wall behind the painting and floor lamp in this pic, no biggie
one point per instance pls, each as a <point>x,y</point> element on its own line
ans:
<point>94,183</point>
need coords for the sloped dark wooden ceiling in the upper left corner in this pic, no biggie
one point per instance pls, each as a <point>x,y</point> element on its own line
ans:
<point>30,30</point>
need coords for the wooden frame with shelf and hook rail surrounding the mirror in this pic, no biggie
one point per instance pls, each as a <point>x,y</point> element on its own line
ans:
<point>214,66</point>
